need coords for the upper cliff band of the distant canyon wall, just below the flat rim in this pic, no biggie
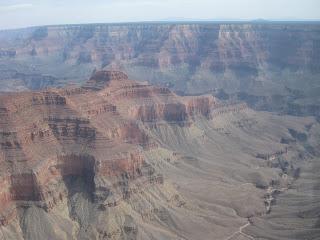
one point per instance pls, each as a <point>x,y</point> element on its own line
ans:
<point>214,46</point>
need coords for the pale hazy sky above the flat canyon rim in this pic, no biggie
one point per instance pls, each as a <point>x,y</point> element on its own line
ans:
<point>20,13</point>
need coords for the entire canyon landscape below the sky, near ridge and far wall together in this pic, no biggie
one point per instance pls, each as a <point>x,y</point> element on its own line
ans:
<point>188,131</point>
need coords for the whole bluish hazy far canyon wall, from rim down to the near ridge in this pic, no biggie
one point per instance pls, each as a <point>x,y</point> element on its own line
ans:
<point>271,66</point>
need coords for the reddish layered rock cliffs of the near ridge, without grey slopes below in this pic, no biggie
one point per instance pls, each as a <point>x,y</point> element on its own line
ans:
<point>89,132</point>
